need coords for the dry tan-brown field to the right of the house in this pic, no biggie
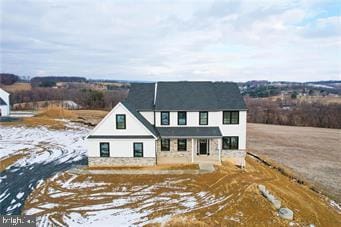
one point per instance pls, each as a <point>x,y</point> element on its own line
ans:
<point>312,154</point>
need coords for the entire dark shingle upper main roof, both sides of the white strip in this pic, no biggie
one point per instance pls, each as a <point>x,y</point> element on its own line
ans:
<point>186,95</point>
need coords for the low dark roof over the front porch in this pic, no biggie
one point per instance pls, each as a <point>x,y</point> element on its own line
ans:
<point>189,132</point>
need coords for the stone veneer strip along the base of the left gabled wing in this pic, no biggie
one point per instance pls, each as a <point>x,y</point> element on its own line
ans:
<point>113,161</point>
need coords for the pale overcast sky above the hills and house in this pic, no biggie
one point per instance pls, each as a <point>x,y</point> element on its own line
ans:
<point>169,40</point>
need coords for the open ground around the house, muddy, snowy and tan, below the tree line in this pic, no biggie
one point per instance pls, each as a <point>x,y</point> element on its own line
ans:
<point>48,153</point>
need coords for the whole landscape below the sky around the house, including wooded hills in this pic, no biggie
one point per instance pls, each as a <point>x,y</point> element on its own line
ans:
<point>44,171</point>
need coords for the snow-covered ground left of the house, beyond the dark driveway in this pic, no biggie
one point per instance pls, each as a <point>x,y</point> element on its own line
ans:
<point>44,145</point>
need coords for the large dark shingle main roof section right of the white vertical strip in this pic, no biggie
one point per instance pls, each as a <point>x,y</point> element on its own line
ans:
<point>198,96</point>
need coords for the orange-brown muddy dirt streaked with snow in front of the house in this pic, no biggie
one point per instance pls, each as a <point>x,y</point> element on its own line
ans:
<point>226,197</point>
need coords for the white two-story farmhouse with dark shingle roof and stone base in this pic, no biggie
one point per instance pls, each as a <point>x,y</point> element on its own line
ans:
<point>172,122</point>
